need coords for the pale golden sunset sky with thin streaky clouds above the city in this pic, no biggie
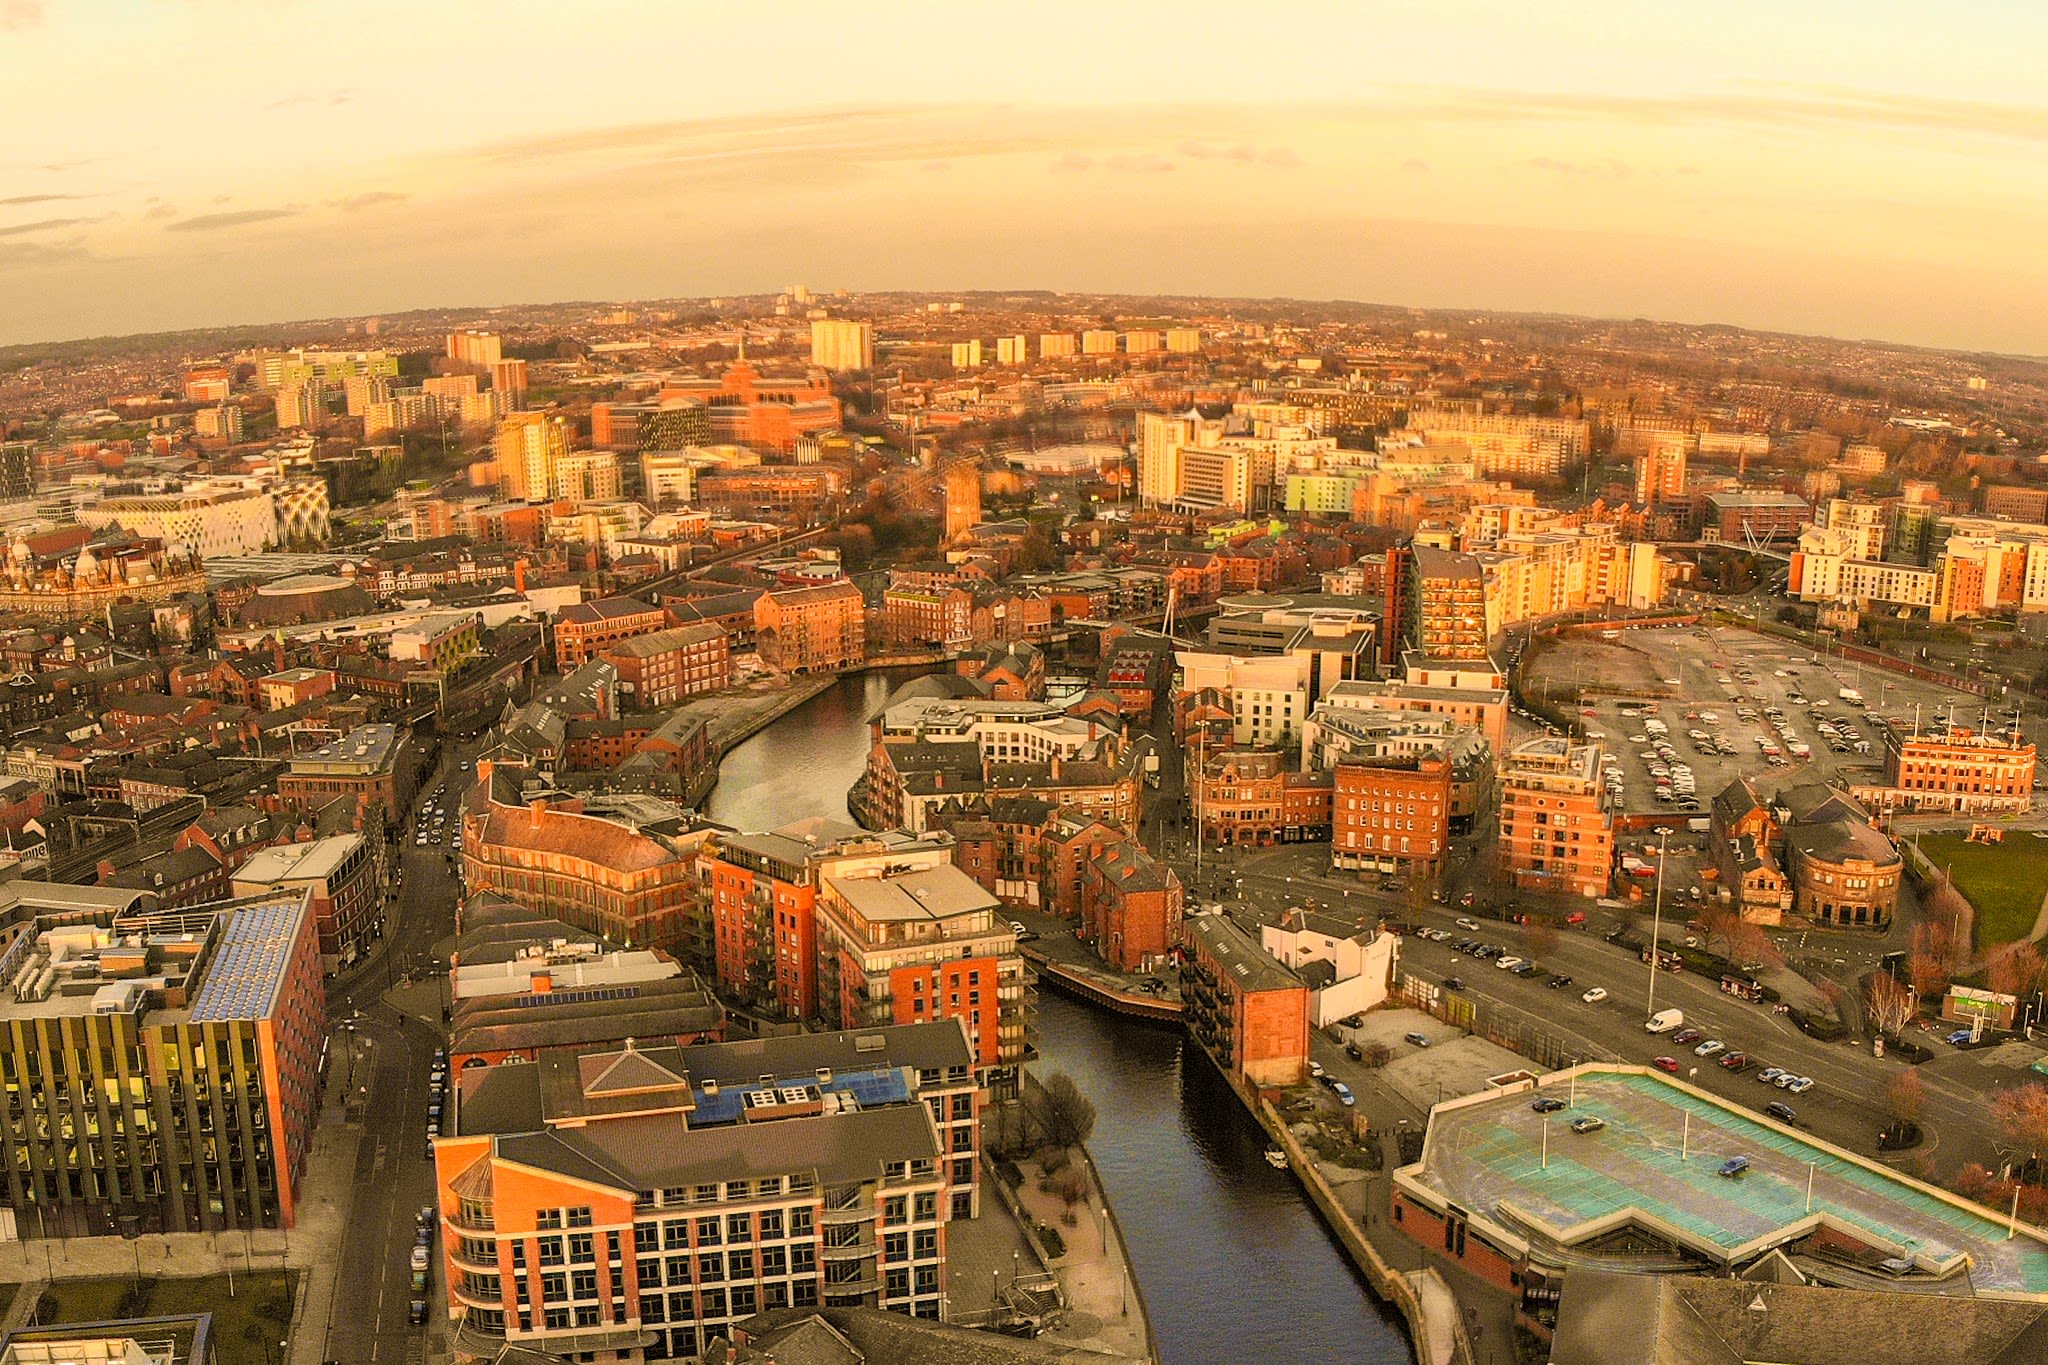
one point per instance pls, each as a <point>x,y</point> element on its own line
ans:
<point>1854,169</point>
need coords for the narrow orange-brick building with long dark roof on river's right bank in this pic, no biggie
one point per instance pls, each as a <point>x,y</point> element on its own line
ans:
<point>1246,1010</point>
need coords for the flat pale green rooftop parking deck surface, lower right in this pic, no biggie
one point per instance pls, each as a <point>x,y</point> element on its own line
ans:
<point>1486,1155</point>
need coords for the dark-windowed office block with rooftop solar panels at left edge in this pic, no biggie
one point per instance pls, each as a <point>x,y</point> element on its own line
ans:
<point>161,1067</point>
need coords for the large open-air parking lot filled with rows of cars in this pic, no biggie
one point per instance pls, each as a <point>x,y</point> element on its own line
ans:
<point>1748,707</point>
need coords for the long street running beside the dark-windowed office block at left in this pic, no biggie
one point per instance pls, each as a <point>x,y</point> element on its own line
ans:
<point>390,1057</point>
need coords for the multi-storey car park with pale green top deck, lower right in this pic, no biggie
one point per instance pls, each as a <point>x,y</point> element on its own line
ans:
<point>1674,1180</point>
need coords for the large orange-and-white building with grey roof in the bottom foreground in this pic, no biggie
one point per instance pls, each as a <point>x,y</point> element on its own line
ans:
<point>636,1204</point>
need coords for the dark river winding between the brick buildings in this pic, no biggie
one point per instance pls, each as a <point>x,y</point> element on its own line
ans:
<point>1232,1260</point>
